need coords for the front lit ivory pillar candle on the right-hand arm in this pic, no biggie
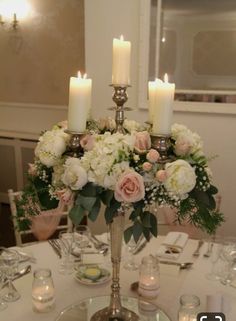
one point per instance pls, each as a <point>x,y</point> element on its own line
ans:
<point>162,110</point>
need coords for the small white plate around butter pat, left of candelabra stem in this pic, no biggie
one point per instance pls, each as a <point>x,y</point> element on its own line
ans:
<point>81,278</point>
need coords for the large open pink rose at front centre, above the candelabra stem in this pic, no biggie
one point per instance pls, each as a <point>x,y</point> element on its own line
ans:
<point>129,188</point>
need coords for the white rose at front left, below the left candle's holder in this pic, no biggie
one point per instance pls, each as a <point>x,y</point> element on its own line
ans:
<point>75,175</point>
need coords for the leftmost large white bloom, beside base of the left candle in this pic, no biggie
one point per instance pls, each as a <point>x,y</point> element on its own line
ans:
<point>51,145</point>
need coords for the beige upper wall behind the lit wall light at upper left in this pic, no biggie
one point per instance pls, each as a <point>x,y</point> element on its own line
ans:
<point>37,60</point>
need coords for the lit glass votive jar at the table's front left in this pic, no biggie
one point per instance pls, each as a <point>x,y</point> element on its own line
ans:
<point>43,291</point>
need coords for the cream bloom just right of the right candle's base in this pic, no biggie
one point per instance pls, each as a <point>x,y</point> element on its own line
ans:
<point>186,142</point>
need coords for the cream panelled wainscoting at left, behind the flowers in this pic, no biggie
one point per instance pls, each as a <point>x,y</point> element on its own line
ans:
<point>20,126</point>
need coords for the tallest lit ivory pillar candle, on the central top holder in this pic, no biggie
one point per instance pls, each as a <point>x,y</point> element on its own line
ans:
<point>121,62</point>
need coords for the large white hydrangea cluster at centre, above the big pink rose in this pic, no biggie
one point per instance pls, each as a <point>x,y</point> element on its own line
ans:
<point>108,150</point>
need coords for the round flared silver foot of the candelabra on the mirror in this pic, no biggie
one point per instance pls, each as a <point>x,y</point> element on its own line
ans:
<point>122,315</point>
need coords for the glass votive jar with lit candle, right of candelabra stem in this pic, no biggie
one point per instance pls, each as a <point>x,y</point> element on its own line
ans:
<point>149,277</point>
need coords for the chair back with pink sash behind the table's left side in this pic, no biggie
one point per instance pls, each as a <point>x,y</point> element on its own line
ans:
<point>37,225</point>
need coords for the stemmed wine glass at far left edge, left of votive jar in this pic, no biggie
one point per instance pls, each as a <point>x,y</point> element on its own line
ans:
<point>10,261</point>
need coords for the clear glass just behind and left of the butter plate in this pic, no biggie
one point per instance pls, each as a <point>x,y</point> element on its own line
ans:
<point>67,260</point>
